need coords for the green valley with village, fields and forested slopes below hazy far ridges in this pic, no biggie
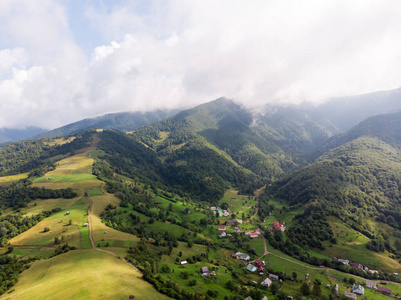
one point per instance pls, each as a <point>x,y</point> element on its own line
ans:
<point>167,210</point>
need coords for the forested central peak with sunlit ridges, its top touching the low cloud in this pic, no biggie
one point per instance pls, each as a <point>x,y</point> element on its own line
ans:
<point>253,141</point>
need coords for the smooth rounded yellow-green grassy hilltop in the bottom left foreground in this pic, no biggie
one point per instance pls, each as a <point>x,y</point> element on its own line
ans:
<point>82,274</point>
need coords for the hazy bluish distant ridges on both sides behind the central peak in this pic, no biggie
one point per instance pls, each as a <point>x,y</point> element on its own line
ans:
<point>339,114</point>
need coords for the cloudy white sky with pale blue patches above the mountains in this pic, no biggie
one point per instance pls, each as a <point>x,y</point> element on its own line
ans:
<point>62,61</point>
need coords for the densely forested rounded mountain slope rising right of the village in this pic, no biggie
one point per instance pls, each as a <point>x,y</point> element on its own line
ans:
<point>356,183</point>
